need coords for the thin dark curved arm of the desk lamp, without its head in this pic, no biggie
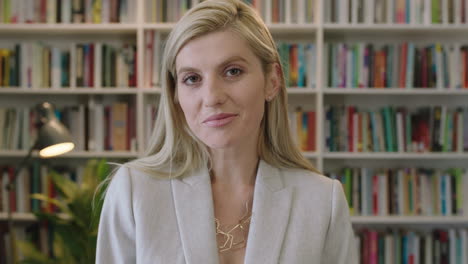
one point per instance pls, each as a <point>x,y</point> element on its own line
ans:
<point>9,189</point>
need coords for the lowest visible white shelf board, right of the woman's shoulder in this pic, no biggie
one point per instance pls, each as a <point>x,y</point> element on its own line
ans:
<point>408,220</point>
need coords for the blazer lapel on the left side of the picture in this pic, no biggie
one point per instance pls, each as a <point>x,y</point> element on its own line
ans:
<point>193,203</point>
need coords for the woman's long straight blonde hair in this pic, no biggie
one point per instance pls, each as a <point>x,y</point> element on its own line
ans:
<point>173,149</point>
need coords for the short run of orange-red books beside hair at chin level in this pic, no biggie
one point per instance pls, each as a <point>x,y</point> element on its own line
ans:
<point>302,125</point>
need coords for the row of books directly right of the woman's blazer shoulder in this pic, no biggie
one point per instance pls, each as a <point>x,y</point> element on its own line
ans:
<point>404,191</point>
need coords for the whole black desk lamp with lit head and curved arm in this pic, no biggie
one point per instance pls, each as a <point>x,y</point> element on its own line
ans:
<point>53,139</point>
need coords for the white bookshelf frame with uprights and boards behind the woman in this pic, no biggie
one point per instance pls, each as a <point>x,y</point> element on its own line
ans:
<point>319,30</point>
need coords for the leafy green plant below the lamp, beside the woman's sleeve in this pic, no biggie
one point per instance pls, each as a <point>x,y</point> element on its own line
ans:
<point>75,226</point>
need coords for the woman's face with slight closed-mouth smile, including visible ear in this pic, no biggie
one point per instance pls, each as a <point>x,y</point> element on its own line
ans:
<point>222,89</point>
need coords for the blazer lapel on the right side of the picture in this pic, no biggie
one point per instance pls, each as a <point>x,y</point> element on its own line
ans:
<point>270,216</point>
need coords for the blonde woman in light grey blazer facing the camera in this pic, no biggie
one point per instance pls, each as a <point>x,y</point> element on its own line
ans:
<point>222,181</point>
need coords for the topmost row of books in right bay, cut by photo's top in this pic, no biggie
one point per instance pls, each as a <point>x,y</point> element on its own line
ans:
<point>423,12</point>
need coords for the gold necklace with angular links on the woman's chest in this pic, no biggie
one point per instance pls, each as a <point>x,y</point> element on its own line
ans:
<point>227,239</point>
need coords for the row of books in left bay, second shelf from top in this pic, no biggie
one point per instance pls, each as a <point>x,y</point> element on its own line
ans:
<point>40,65</point>
